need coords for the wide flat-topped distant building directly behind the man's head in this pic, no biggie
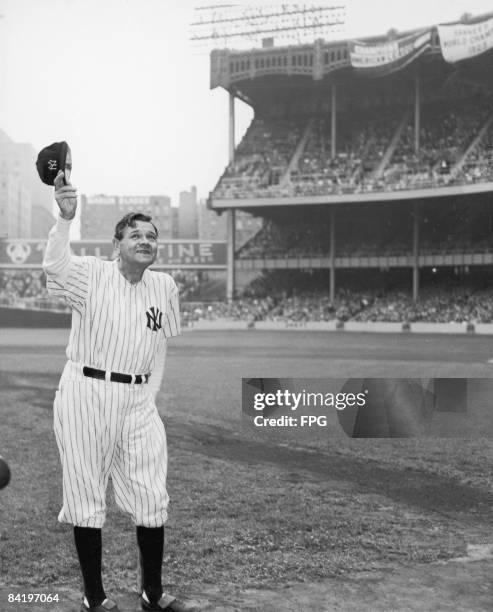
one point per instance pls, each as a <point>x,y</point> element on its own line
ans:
<point>100,213</point>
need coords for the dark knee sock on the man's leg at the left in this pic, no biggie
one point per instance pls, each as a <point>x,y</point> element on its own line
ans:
<point>89,550</point>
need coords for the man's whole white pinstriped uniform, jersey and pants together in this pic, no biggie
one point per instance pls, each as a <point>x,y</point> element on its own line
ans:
<point>108,428</point>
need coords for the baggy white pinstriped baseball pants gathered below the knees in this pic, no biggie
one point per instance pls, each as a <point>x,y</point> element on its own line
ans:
<point>108,429</point>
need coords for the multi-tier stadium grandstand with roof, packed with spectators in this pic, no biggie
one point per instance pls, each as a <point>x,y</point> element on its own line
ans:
<point>370,163</point>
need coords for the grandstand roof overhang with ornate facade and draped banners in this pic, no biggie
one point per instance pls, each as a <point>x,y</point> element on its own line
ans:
<point>255,75</point>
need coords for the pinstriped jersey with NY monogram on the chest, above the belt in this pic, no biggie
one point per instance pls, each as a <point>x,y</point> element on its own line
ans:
<point>116,325</point>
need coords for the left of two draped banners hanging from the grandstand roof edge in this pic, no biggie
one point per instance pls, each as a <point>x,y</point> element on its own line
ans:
<point>384,57</point>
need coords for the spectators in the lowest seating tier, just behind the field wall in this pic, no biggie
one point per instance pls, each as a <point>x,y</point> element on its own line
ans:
<point>297,297</point>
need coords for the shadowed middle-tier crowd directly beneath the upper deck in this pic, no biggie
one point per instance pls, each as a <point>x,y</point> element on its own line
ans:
<point>375,231</point>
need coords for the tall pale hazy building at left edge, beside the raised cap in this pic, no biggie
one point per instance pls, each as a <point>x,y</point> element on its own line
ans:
<point>34,198</point>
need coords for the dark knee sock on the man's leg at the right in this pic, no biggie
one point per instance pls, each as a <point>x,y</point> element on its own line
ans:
<point>151,546</point>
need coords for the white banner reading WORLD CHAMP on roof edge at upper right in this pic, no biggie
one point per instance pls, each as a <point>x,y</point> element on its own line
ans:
<point>461,41</point>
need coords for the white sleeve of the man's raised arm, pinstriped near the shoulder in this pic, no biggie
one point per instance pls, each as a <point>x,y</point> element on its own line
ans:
<point>67,275</point>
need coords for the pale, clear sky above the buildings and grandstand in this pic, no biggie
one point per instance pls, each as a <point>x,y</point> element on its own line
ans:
<point>120,81</point>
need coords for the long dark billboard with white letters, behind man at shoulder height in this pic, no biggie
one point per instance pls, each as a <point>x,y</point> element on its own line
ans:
<point>177,253</point>
